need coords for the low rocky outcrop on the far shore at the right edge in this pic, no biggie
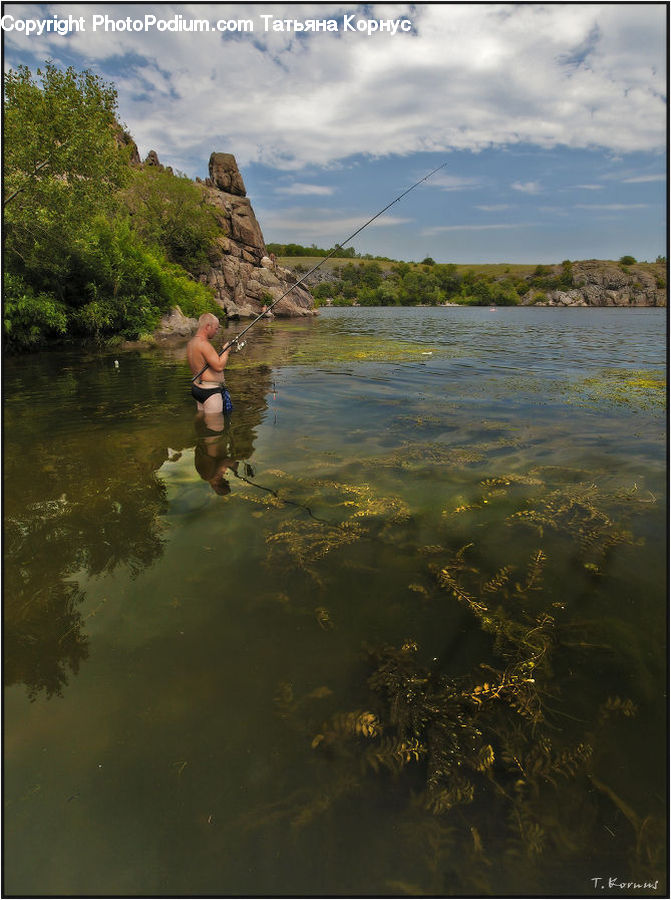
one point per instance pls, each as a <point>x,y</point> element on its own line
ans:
<point>600,283</point>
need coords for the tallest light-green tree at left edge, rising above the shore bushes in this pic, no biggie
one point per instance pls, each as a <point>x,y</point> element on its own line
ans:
<point>62,164</point>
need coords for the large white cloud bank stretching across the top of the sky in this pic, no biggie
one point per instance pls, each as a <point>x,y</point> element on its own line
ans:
<point>469,77</point>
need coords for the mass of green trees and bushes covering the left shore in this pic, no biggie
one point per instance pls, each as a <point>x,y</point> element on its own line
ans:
<point>92,247</point>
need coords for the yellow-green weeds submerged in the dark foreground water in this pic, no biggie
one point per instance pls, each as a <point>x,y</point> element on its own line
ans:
<point>499,764</point>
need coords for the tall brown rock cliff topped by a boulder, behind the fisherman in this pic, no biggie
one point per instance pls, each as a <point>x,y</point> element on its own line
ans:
<point>240,272</point>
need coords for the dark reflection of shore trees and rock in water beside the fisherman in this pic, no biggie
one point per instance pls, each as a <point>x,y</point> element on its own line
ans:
<point>82,493</point>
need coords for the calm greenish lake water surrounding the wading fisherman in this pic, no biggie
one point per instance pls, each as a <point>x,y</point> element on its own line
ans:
<point>172,654</point>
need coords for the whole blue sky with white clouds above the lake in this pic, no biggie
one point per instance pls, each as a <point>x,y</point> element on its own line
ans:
<point>551,119</point>
